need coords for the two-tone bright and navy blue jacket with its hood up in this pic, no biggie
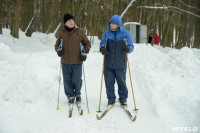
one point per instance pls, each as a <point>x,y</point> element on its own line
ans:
<point>116,57</point>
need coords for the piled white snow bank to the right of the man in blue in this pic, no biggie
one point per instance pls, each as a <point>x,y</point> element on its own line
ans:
<point>170,82</point>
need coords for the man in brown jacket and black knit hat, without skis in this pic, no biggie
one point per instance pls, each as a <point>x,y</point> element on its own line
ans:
<point>72,57</point>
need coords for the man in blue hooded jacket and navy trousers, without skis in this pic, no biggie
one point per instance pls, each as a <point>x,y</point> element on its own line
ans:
<point>115,65</point>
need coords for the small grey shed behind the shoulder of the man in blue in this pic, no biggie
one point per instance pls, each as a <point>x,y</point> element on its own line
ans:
<point>138,31</point>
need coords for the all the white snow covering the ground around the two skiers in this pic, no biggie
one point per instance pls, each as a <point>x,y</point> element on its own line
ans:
<point>165,81</point>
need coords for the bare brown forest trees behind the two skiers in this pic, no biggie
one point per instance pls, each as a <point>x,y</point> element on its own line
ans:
<point>177,22</point>
